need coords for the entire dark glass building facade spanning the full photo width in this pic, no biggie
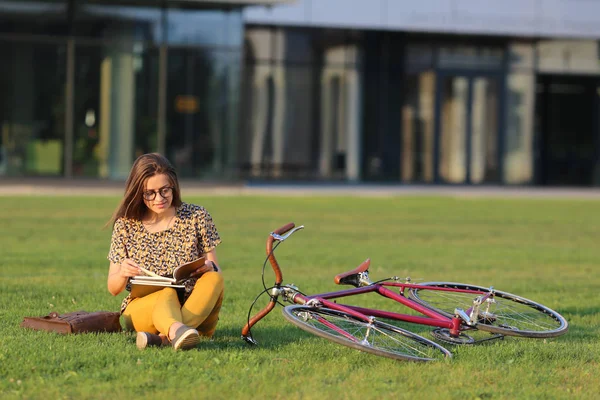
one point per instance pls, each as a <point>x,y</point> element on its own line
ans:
<point>87,85</point>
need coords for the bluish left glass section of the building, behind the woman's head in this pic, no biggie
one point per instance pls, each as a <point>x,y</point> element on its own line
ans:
<point>86,86</point>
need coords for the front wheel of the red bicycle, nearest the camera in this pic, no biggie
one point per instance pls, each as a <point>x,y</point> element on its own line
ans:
<point>375,337</point>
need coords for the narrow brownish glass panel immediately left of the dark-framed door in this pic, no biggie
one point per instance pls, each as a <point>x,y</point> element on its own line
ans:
<point>417,129</point>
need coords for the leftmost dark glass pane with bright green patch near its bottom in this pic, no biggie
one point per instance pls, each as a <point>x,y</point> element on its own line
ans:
<point>32,104</point>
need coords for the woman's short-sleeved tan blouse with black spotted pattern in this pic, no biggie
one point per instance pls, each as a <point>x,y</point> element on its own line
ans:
<point>192,234</point>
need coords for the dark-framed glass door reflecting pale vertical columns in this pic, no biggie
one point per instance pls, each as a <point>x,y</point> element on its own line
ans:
<point>468,110</point>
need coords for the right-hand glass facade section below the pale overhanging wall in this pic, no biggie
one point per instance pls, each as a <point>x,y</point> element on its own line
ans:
<point>380,106</point>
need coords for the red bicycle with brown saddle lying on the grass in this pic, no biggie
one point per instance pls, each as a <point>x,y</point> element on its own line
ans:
<point>454,309</point>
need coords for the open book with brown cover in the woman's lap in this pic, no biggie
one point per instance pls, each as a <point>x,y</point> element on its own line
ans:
<point>143,285</point>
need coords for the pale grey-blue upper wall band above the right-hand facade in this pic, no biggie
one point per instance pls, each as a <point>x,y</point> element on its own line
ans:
<point>546,18</point>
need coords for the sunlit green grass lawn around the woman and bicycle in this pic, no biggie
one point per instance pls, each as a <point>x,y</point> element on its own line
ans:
<point>53,258</point>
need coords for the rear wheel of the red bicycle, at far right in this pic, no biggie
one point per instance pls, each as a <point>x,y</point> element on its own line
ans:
<point>507,314</point>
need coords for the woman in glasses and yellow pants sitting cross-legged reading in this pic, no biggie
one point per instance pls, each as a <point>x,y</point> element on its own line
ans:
<point>154,229</point>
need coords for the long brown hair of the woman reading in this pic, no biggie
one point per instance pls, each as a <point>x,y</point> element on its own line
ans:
<point>146,166</point>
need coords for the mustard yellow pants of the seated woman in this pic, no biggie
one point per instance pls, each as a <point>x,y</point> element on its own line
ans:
<point>156,312</point>
